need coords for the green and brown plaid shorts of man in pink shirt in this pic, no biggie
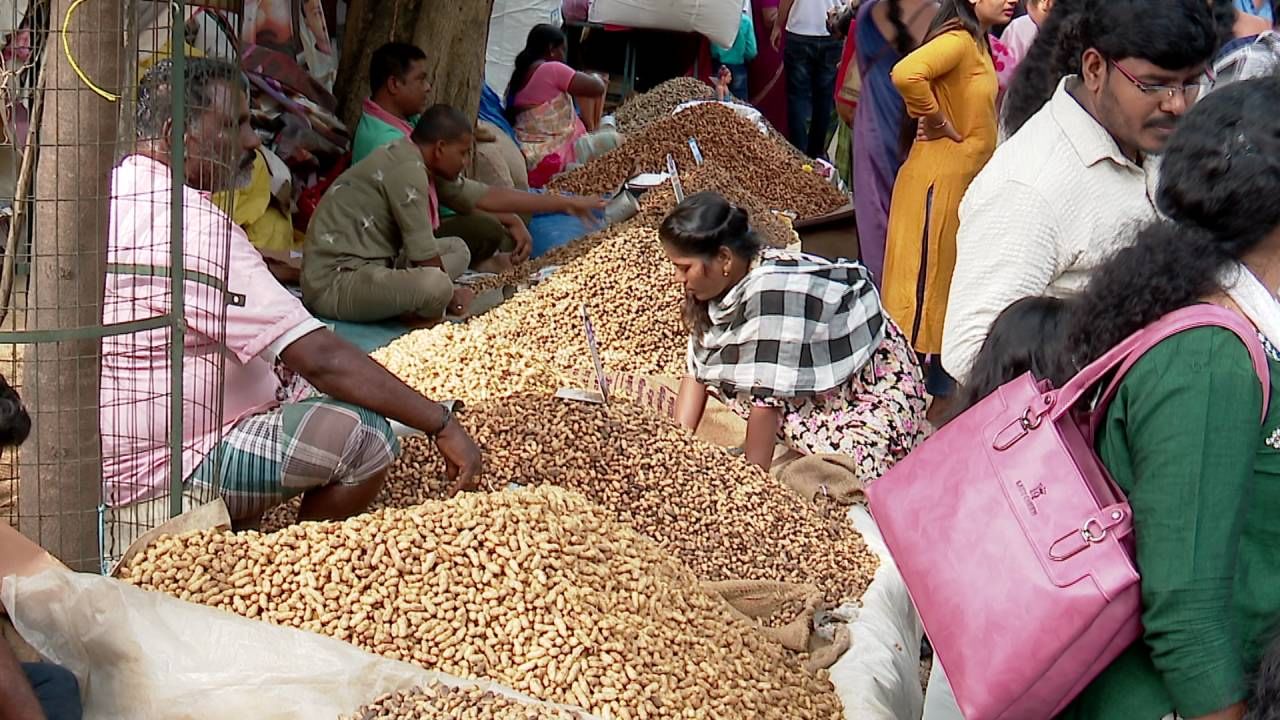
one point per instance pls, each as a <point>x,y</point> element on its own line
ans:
<point>269,458</point>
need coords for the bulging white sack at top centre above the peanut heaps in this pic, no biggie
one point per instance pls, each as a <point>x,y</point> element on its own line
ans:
<point>717,20</point>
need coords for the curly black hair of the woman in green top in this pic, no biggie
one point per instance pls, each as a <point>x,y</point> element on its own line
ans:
<point>1219,186</point>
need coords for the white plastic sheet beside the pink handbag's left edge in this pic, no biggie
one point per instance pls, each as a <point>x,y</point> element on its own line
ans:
<point>880,677</point>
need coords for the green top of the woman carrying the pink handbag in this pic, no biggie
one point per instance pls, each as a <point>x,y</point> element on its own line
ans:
<point>1183,441</point>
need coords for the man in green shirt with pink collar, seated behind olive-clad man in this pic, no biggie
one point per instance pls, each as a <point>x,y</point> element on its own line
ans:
<point>397,75</point>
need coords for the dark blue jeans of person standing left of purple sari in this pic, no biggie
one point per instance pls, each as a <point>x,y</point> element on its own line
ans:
<point>811,66</point>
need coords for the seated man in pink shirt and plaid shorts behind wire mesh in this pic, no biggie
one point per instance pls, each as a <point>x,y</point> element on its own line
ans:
<point>255,426</point>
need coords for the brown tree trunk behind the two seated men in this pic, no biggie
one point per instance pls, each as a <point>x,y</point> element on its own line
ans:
<point>452,33</point>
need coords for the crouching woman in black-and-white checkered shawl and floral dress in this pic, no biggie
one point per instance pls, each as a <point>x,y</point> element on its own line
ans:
<point>797,345</point>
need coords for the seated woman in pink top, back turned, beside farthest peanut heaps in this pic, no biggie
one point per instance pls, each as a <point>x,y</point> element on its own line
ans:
<point>541,107</point>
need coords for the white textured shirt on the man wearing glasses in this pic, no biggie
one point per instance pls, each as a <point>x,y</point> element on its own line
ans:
<point>1055,202</point>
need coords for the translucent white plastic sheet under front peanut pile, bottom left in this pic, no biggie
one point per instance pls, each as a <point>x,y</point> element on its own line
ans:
<point>149,657</point>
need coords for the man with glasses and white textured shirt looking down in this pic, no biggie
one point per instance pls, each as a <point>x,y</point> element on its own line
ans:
<point>1076,183</point>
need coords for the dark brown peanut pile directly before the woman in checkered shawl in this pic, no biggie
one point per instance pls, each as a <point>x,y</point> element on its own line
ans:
<point>719,514</point>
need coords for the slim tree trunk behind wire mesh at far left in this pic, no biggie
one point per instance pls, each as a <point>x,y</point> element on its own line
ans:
<point>62,467</point>
